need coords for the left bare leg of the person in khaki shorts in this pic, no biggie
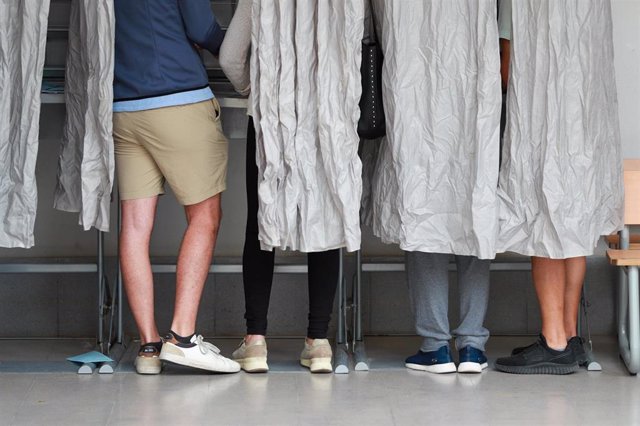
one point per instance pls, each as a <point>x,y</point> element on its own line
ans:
<point>137,224</point>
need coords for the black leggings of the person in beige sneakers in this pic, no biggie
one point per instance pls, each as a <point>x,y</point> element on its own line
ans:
<point>257,266</point>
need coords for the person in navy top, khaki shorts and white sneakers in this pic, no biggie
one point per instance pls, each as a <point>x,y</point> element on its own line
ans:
<point>167,128</point>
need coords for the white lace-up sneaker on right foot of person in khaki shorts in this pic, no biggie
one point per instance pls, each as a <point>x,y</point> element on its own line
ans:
<point>197,354</point>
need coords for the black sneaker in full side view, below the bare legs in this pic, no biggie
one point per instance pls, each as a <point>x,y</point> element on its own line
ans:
<point>539,358</point>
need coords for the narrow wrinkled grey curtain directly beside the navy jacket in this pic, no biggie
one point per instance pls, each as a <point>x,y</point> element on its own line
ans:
<point>86,162</point>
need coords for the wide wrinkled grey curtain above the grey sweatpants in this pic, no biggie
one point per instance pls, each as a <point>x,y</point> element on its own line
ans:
<point>435,180</point>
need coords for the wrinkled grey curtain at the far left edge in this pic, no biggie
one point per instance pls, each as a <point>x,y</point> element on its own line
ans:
<point>23,36</point>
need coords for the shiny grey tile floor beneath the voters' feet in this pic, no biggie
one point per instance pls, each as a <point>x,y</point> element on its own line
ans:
<point>52,394</point>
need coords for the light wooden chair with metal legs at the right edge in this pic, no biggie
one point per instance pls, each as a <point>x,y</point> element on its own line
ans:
<point>626,256</point>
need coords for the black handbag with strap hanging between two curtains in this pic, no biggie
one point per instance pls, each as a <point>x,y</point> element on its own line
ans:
<point>372,119</point>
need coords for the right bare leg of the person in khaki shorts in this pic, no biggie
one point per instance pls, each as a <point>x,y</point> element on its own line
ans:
<point>194,260</point>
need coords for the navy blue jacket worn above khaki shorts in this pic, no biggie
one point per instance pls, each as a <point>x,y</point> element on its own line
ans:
<point>155,53</point>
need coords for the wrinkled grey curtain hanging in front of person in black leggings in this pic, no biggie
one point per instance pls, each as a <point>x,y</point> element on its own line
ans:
<point>306,86</point>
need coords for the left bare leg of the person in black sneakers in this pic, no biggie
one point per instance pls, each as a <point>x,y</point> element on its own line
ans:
<point>549,280</point>
